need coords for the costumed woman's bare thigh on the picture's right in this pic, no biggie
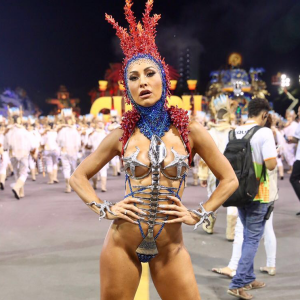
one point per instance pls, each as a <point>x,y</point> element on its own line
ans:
<point>173,275</point>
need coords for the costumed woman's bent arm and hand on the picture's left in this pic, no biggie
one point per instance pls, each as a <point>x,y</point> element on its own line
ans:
<point>79,181</point>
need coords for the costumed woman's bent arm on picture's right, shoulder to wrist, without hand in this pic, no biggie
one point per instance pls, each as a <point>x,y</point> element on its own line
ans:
<point>203,144</point>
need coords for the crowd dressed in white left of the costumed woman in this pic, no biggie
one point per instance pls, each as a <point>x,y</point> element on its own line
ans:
<point>29,146</point>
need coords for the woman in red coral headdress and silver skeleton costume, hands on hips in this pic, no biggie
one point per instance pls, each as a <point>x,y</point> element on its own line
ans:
<point>156,144</point>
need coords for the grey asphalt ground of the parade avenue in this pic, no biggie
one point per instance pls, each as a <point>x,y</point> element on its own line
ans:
<point>50,244</point>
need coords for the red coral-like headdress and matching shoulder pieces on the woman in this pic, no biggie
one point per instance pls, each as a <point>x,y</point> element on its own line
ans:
<point>141,40</point>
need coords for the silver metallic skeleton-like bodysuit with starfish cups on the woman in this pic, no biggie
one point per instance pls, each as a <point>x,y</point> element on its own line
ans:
<point>157,193</point>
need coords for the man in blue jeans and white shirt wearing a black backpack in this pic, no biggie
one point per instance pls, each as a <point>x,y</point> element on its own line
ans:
<point>251,150</point>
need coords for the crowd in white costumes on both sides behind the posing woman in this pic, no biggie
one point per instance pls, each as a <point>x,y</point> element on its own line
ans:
<point>39,145</point>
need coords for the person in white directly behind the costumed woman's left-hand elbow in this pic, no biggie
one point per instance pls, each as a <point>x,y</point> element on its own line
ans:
<point>69,141</point>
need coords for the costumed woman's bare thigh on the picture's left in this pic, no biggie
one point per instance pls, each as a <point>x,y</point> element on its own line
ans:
<point>120,272</point>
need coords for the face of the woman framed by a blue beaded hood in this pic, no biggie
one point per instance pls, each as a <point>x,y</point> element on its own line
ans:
<point>144,82</point>
